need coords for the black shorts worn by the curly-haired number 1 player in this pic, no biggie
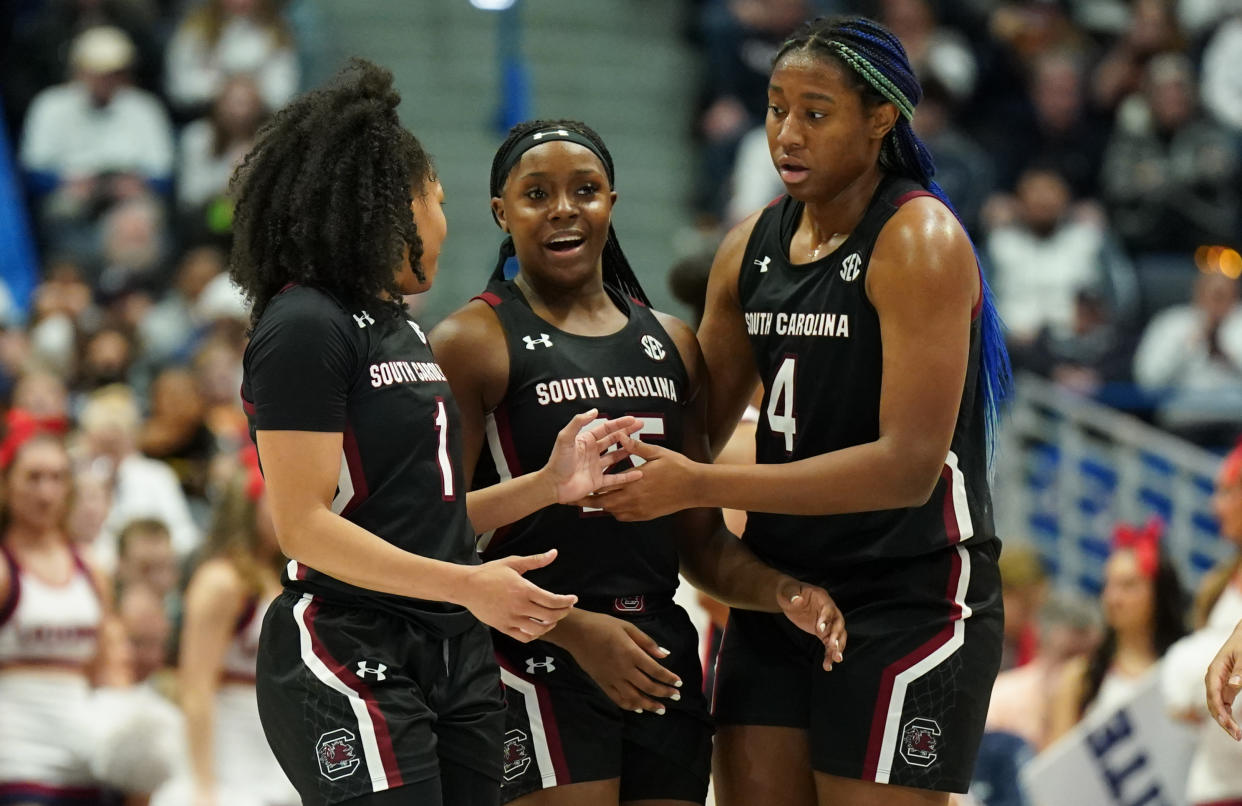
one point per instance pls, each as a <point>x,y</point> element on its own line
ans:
<point>357,701</point>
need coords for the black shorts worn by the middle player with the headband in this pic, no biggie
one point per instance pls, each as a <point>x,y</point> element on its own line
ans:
<point>562,728</point>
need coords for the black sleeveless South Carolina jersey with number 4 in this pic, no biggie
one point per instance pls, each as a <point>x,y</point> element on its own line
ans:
<point>817,343</point>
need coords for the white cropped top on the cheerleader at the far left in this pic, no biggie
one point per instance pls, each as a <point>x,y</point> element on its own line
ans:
<point>49,625</point>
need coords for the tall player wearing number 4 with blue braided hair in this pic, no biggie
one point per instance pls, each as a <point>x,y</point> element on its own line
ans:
<point>858,301</point>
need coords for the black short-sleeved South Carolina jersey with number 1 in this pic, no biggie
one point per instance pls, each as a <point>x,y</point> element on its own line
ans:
<point>314,365</point>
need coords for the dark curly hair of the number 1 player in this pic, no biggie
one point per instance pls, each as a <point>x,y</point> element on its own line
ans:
<point>324,199</point>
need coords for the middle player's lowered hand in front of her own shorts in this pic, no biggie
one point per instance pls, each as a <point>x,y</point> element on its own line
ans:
<point>622,659</point>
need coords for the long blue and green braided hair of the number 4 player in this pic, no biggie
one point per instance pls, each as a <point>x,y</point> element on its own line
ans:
<point>876,58</point>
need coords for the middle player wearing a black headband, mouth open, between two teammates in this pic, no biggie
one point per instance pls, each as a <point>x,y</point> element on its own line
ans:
<point>579,332</point>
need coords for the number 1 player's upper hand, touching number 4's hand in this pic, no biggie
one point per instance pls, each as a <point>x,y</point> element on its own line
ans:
<point>582,456</point>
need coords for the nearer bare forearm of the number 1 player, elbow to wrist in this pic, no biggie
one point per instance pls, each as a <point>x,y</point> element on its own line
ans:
<point>338,548</point>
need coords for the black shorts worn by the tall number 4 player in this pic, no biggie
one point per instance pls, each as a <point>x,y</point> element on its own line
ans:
<point>907,705</point>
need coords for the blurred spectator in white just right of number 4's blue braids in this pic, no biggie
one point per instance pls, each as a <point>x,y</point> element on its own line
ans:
<point>1048,254</point>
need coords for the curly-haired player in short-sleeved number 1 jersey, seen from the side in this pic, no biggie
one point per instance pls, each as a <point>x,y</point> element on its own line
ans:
<point>376,680</point>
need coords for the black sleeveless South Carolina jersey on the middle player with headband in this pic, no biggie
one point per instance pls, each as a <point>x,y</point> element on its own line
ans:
<point>553,377</point>
